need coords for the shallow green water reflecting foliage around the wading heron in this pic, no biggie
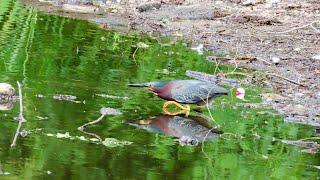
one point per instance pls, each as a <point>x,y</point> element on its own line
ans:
<point>51,55</point>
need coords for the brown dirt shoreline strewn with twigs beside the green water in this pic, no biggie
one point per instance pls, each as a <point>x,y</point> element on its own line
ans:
<point>280,39</point>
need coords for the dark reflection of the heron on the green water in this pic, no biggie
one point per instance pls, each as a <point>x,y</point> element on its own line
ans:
<point>189,130</point>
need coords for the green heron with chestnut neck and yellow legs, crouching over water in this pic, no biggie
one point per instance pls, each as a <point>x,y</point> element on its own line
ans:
<point>185,92</point>
